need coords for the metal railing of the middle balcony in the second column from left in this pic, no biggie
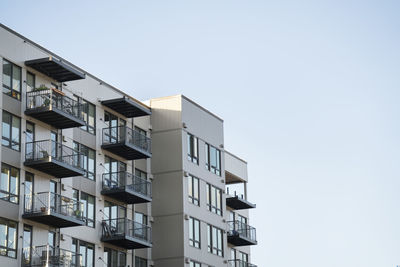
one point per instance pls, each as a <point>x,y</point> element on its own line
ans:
<point>127,180</point>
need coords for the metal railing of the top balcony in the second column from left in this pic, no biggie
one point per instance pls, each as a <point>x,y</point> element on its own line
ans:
<point>123,134</point>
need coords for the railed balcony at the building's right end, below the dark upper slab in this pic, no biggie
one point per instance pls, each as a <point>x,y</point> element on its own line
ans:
<point>241,234</point>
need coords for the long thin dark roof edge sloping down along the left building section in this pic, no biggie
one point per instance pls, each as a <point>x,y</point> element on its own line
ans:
<point>71,64</point>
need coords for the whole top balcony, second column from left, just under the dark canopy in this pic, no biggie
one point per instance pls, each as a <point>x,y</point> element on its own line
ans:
<point>126,142</point>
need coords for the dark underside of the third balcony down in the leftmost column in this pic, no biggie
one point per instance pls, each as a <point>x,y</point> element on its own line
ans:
<point>53,219</point>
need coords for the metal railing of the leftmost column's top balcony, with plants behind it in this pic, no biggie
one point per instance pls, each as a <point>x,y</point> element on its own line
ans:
<point>48,99</point>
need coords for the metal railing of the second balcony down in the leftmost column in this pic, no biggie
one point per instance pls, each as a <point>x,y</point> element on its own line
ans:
<point>46,149</point>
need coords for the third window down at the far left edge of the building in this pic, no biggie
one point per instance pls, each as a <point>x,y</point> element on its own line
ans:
<point>9,183</point>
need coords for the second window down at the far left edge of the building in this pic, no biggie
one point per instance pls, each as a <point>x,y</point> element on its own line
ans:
<point>11,131</point>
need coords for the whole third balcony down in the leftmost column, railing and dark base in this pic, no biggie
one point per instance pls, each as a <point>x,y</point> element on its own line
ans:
<point>53,209</point>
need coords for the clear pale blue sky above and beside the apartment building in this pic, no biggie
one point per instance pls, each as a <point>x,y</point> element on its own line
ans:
<point>309,91</point>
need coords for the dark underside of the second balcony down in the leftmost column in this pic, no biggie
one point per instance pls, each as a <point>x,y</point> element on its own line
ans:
<point>54,168</point>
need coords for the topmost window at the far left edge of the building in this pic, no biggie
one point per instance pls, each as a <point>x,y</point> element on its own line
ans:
<point>12,79</point>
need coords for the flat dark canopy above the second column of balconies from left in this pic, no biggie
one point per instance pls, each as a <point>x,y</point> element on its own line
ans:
<point>127,107</point>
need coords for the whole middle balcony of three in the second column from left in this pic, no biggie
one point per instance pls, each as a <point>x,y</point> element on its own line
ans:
<point>126,187</point>
